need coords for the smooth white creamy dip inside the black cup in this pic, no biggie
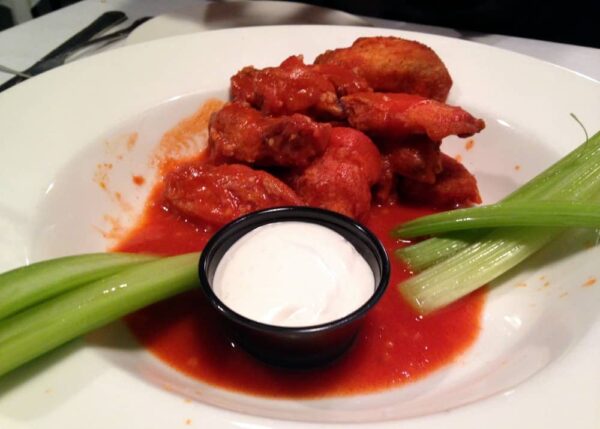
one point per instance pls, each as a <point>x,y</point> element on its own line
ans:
<point>293,274</point>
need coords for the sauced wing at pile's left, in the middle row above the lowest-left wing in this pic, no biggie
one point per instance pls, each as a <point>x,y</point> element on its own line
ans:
<point>238,133</point>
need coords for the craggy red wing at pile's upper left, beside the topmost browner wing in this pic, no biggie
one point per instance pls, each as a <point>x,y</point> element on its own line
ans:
<point>294,87</point>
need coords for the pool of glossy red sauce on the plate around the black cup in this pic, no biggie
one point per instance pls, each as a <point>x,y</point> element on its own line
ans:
<point>395,346</point>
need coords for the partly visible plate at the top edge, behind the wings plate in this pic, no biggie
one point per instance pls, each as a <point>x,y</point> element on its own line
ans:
<point>234,14</point>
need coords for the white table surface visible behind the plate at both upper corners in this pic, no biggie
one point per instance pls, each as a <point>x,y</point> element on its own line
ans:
<point>24,44</point>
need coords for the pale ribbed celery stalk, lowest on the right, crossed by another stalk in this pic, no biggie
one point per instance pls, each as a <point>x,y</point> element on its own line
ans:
<point>501,249</point>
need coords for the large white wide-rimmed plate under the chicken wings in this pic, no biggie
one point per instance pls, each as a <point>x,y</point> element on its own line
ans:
<point>535,363</point>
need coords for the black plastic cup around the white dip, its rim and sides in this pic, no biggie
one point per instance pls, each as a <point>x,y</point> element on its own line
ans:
<point>296,347</point>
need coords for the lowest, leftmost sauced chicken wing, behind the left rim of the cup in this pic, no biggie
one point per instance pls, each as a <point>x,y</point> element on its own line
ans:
<point>222,193</point>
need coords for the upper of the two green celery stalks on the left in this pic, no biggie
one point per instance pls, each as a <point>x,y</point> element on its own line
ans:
<point>26,286</point>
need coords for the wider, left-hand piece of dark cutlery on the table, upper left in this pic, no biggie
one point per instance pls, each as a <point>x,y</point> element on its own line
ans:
<point>103,22</point>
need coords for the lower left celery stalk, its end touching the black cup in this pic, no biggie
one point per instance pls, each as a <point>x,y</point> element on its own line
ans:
<point>41,328</point>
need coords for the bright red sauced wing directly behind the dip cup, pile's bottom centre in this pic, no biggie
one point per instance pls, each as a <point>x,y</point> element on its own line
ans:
<point>341,179</point>
